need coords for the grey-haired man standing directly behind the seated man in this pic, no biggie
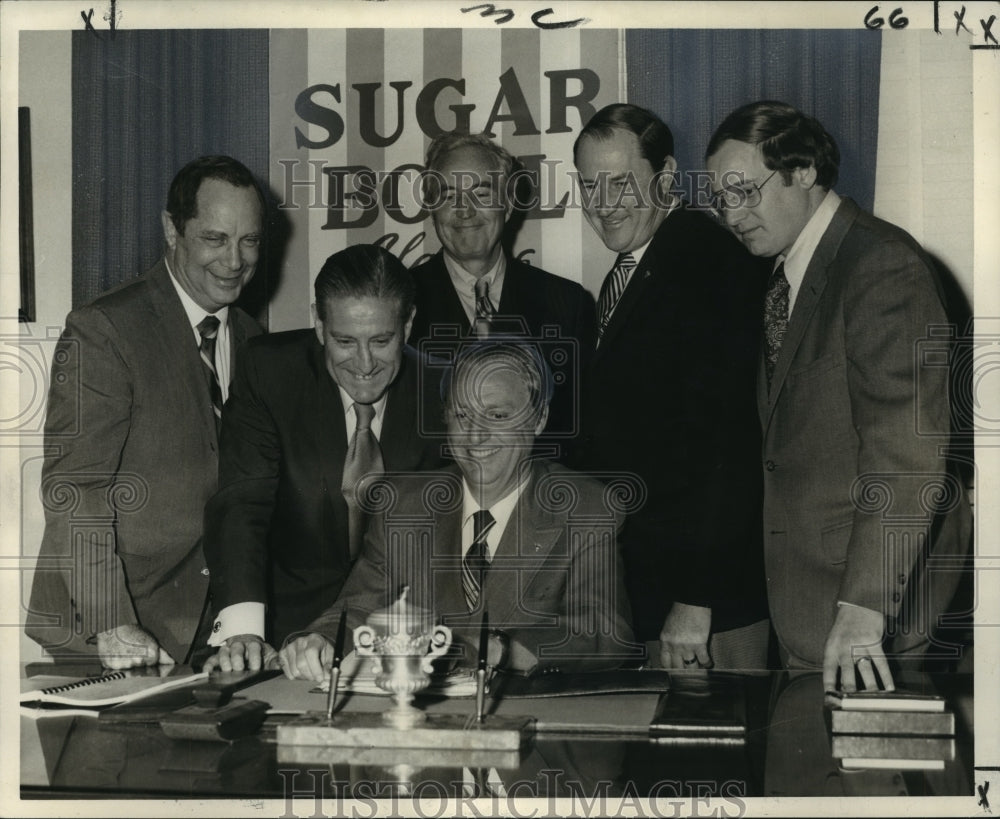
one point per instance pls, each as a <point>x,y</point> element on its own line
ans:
<point>473,287</point>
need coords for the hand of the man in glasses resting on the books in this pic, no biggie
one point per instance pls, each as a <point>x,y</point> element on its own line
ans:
<point>856,640</point>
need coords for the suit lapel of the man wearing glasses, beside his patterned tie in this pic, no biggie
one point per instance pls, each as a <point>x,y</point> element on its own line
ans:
<point>813,284</point>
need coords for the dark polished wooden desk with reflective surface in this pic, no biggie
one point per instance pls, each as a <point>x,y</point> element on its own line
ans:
<point>787,752</point>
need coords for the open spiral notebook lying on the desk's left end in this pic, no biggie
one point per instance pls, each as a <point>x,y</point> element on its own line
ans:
<point>98,692</point>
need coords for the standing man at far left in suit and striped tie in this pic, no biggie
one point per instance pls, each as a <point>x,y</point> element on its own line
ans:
<point>138,380</point>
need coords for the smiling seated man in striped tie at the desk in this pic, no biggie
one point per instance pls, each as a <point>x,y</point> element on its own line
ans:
<point>528,541</point>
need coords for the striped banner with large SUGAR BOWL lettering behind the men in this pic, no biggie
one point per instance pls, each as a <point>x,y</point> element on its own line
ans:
<point>353,111</point>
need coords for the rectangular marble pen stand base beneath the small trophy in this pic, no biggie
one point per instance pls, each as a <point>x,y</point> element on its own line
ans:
<point>367,730</point>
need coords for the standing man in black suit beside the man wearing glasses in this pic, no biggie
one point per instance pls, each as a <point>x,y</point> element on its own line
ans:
<point>670,398</point>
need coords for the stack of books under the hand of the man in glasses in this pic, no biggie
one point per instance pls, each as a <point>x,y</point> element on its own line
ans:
<point>892,729</point>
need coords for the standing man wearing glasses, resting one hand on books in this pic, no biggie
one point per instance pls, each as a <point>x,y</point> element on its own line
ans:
<point>855,496</point>
